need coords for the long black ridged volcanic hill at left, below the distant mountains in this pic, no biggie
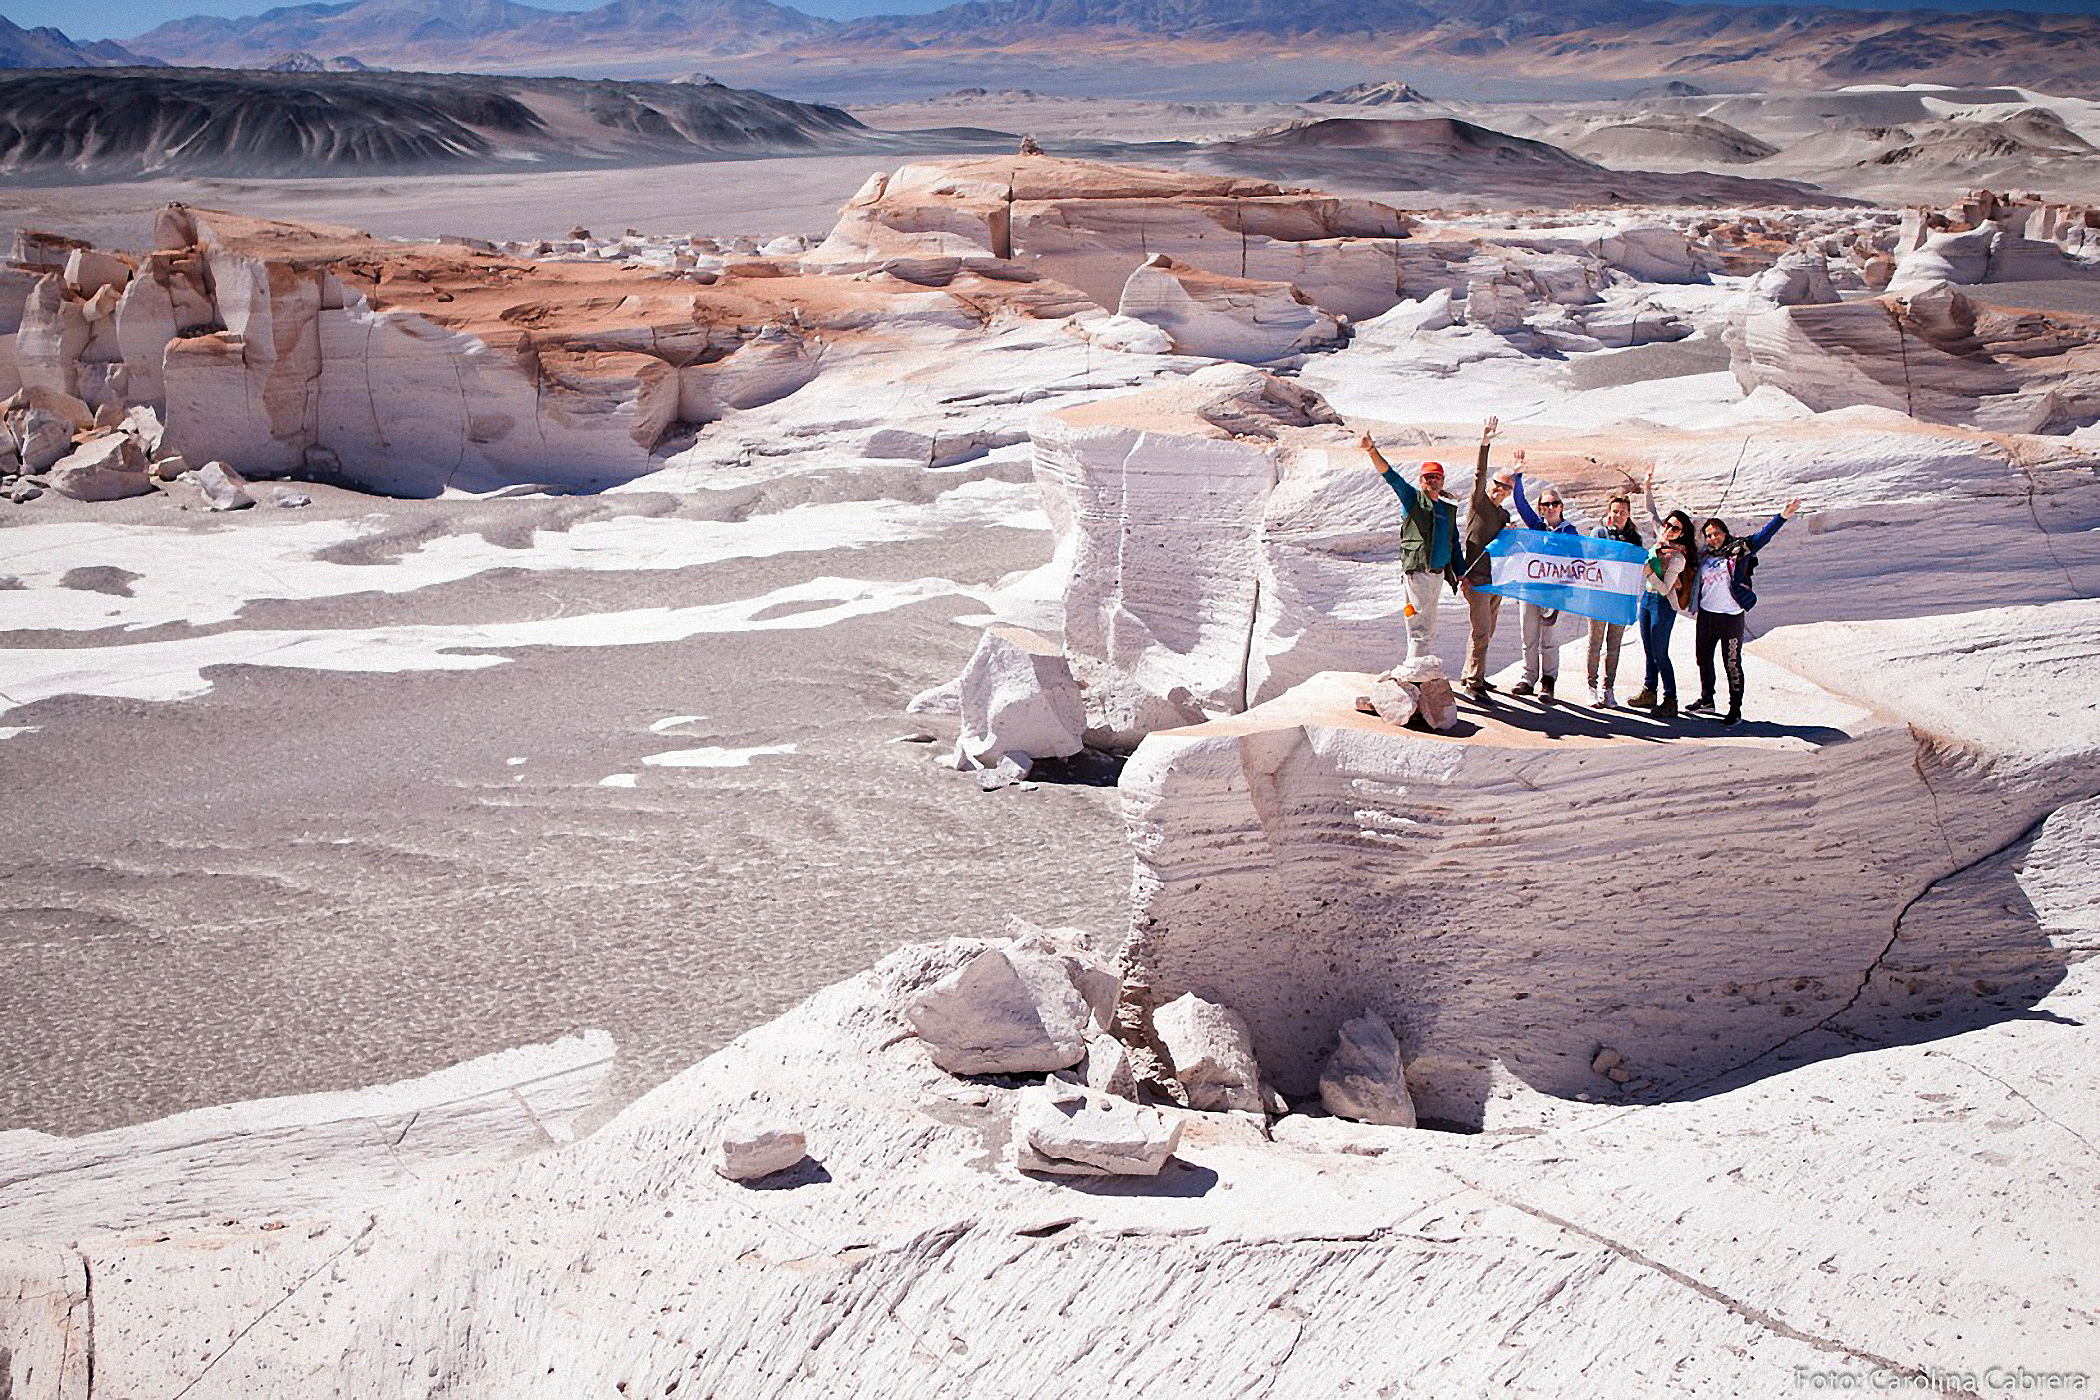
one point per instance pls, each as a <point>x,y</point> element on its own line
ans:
<point>106,125</point>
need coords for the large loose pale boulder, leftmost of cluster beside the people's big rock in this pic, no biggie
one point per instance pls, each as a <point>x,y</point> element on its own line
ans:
<point>1005,1013</point>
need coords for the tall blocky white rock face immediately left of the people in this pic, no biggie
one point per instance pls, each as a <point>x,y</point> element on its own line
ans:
<point>1223,540</point>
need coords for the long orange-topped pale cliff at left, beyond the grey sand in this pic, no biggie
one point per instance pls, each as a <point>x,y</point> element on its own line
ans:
<point>303,349</point>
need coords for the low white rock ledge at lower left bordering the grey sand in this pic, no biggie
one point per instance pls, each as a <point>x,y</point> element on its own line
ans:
<point>301,1153</point>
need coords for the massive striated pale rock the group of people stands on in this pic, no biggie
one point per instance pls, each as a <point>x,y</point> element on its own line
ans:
<point>1385,870</point>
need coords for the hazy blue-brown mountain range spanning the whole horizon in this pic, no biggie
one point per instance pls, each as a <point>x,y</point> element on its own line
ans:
<point>1587,41</point>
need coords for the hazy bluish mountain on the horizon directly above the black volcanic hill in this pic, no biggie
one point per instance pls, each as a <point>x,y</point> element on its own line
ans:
<point>486,35</point>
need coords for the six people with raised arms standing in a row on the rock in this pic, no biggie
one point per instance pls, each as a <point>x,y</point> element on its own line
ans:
<point>1702,574</point>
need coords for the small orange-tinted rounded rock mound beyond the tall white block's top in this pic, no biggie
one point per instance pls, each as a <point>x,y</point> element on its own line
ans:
<point>1225,318</point>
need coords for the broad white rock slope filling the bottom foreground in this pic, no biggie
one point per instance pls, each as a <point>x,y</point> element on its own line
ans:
<point>1616,1242</point>
